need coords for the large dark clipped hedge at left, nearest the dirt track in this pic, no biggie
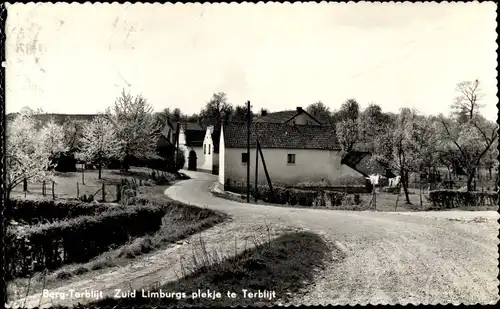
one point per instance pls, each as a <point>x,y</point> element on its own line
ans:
<point>77,240</point>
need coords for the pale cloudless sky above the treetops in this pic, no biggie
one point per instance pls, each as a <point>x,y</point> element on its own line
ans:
<point>77,58</point>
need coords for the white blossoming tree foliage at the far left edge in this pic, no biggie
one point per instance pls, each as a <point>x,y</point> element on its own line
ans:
<point>27,154</point>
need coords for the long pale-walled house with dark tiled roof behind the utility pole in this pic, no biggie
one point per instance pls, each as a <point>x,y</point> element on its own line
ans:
<point>293,154</point>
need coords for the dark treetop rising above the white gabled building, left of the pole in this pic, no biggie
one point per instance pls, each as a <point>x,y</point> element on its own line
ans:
<point>217,111</point>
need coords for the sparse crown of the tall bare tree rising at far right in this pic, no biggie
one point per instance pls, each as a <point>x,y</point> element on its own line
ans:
<point>467,102</point>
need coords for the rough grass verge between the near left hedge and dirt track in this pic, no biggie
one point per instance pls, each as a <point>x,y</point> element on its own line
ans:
<point>176,226</point>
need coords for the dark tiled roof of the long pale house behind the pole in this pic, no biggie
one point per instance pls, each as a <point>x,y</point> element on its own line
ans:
<point>278,135</point>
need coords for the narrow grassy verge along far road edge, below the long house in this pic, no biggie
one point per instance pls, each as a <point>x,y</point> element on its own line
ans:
<point>386,202</point>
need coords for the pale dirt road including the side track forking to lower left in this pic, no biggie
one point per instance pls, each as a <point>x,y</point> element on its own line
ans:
<point>390,258</point>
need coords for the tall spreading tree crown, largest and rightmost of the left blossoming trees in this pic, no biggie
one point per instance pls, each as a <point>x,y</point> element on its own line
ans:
<point>135,127</point>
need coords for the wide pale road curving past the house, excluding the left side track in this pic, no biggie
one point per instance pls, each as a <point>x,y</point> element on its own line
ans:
<point>388,258</point>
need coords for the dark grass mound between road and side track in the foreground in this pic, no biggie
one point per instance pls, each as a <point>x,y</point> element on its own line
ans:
<point>285,265</point>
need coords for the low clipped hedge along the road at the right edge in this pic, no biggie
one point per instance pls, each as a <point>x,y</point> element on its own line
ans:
<point>455,198</point>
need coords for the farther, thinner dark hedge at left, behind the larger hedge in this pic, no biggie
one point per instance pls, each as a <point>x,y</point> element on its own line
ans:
<point>33,212</point>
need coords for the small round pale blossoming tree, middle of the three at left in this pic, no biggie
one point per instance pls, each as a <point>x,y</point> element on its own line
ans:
<point>99,142</point>
